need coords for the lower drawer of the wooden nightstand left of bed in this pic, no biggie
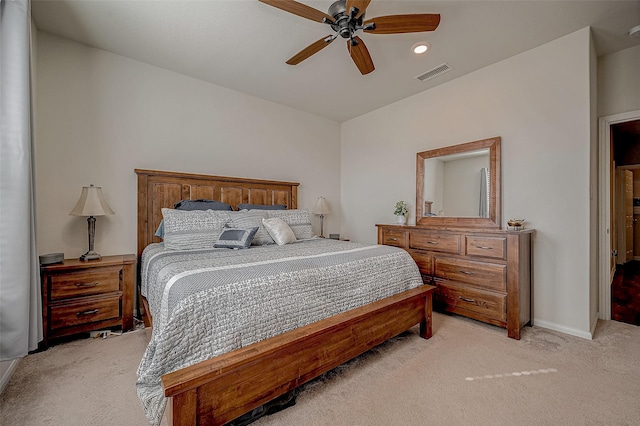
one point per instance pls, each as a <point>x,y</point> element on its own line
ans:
<point>83,312</point>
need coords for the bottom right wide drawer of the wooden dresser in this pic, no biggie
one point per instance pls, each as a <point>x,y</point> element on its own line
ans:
<point>464,300</point>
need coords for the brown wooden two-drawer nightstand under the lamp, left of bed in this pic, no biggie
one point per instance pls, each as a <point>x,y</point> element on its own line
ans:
<point>79,296</point>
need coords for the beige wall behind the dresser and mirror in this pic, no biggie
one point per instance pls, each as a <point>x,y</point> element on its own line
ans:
<point>539,103</point>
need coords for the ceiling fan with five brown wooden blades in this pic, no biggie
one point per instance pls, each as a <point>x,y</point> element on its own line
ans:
<point>346,18</point>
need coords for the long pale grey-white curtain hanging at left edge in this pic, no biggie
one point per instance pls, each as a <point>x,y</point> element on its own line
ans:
<point>20,305</point>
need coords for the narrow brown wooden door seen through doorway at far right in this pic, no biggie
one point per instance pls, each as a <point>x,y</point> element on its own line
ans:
<point>625,215</point>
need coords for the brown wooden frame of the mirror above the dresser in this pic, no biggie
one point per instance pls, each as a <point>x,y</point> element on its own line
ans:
<point>495,196</point>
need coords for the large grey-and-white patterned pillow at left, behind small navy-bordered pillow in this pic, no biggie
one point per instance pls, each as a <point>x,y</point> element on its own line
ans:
<point>190,230</point>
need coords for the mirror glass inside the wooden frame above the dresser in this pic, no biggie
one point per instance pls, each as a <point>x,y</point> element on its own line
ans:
<point>457,184</point>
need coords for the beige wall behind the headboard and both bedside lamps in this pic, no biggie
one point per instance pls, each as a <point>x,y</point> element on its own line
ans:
<point>100,115</point>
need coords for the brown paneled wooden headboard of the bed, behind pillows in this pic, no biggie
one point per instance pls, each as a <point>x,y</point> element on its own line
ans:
<point>157,189</point>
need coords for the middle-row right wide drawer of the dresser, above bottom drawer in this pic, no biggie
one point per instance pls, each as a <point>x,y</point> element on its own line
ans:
<point>487,275</point>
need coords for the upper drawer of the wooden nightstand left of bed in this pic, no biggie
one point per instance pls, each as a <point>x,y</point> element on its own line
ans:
<point>85,282</point>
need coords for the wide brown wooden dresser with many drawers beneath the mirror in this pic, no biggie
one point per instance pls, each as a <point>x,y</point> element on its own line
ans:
<point>481,274</point>
